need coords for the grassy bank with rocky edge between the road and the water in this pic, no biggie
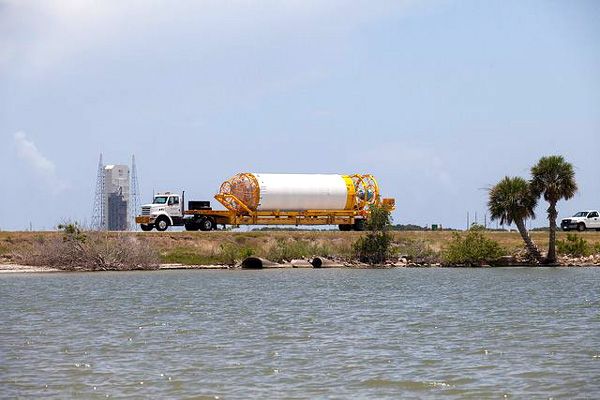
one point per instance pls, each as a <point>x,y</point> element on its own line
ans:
<point>224,250</point>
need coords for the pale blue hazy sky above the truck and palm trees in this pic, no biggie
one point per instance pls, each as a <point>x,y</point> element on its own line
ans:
<point>438,99</point>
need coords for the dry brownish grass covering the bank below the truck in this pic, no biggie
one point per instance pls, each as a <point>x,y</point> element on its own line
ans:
<point>223,246</point>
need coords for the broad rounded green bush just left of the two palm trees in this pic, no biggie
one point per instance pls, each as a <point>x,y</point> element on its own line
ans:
<point>471,248</point>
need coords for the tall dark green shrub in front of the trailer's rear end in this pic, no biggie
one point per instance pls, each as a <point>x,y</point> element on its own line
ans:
<point>374,248</point>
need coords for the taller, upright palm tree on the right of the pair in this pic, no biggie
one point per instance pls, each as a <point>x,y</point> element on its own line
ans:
<point>554,178</point>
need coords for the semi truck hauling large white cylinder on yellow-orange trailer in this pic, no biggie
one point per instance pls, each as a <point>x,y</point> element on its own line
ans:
<point>272,199</point>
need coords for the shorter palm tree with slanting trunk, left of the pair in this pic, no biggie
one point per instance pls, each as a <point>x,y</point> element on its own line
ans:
<point>511,200</point>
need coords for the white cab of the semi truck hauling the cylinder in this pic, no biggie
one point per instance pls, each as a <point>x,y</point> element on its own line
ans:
<point>165,210</point>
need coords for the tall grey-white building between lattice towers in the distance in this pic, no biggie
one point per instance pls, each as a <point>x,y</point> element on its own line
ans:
<point>116,197</point>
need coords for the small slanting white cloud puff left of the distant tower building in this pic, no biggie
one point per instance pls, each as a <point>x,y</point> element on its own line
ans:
<point>40,164</point>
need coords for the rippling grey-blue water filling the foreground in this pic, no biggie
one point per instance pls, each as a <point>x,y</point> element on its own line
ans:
<point>402,333</point>
